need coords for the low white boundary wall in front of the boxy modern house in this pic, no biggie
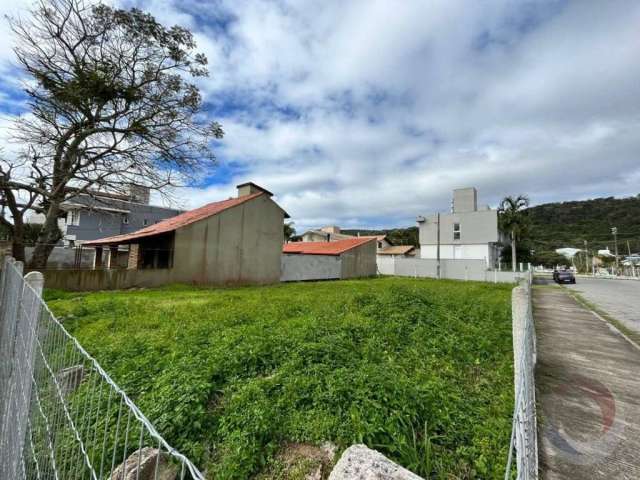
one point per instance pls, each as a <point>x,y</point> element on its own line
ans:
<point>451,269</point>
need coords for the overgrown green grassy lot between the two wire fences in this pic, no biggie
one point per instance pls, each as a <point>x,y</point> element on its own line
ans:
<point>419,369</point>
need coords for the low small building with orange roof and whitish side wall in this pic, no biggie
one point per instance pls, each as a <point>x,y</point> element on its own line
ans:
<point>341,259</point>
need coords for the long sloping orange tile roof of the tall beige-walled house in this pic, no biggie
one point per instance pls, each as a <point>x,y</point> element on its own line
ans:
<point>173,223</point>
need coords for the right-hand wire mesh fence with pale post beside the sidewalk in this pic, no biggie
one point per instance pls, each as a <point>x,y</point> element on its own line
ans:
<point>524,436</point>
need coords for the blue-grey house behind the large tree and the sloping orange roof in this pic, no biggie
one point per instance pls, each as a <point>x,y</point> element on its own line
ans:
<point>101,214</point>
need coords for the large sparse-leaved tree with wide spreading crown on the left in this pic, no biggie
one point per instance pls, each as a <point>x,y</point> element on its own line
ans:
<point>111,105</point>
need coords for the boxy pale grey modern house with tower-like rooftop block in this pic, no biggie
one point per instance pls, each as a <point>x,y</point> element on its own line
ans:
<point>467,233</point>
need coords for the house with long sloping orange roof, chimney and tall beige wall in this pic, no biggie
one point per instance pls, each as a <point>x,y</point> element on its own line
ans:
<point>234,241</point>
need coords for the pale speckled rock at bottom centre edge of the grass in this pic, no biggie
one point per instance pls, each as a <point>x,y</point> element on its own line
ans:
<point>361,463</point>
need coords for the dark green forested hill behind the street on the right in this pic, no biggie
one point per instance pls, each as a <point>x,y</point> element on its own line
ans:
<point>568,224</point>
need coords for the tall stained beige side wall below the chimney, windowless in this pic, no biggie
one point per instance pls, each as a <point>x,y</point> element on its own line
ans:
<point>240,245</point>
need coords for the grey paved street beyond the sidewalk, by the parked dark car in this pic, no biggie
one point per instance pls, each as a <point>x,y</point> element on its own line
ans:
<point>619,298</point>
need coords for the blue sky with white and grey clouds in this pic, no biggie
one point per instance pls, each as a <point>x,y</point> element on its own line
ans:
<point>369,113</point>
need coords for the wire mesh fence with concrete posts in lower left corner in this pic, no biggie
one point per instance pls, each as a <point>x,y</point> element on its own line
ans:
<point>61,415</point>
